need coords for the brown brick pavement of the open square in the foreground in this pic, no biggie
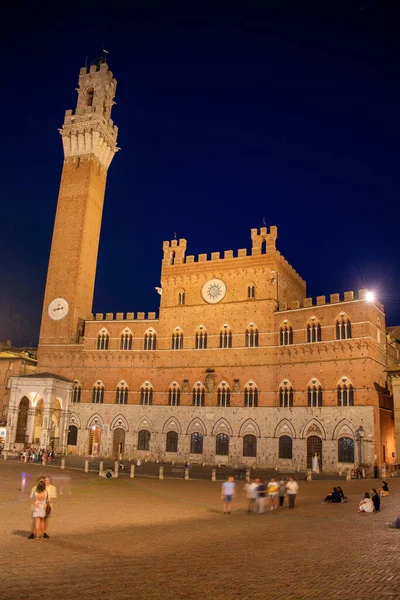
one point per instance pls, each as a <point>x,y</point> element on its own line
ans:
<point>162,540</point>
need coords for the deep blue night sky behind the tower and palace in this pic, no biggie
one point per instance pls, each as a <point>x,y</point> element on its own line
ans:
<point>229,113</point>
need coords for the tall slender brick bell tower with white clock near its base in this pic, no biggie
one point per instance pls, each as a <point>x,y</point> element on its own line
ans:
<point>89,139</point>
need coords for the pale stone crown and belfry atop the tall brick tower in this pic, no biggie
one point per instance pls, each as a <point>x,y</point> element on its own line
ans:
<point>91,130</point>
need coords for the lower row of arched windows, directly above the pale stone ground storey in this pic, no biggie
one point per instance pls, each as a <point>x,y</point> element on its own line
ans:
<point>345,394</point>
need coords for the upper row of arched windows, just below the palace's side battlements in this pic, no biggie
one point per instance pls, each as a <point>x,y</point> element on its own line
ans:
<point>314,334</point>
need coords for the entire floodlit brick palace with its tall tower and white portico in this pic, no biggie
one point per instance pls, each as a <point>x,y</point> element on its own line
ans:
<point>239,367</point>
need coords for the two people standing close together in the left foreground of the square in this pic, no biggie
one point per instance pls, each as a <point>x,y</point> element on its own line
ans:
<point>42,497</point>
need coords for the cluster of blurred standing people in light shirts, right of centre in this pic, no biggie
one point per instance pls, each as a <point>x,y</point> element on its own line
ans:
<point>260,494</point>
